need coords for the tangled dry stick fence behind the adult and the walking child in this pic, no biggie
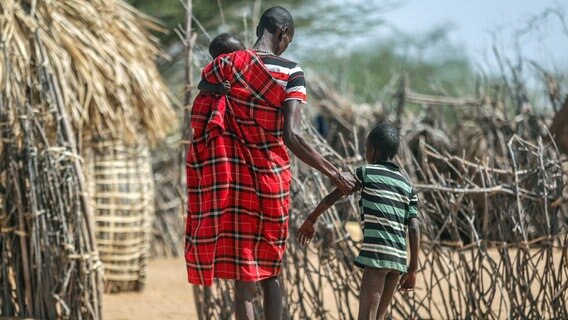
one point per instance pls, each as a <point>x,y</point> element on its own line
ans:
<point>494,229</point>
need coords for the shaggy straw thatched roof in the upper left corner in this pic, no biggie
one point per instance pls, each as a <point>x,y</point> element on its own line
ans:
<point>101,54</point>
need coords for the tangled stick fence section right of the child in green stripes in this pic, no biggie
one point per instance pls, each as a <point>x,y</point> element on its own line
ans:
<point>496,245</point>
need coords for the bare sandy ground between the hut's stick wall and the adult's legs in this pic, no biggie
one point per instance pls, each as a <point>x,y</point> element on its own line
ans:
<point>167,296</point>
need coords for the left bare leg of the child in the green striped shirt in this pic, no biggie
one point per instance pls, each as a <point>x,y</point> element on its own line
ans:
<point>372,286</point>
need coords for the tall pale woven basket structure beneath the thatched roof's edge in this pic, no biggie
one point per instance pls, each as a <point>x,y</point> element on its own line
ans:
<point>121,190</point>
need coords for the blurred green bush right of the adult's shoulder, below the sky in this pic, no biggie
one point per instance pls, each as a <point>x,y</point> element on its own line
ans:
<point>430,61</point>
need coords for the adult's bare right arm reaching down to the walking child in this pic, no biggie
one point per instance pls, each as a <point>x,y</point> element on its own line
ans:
<point>305,152</point>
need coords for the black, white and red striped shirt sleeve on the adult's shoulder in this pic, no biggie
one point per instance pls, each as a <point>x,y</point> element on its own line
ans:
<point>288,74</point>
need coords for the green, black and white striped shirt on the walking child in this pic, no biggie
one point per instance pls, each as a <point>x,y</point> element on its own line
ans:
<point>387,203</point>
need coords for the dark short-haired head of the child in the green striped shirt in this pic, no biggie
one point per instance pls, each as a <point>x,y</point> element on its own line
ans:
<point>382,143</point>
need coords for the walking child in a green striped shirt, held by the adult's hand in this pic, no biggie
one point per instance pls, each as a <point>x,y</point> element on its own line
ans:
<point>388,209</point>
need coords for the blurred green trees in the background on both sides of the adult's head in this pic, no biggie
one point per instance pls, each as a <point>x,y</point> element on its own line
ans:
<point>344,41</point>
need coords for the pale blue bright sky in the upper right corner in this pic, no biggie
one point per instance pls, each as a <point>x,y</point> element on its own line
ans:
<point>473,21</point>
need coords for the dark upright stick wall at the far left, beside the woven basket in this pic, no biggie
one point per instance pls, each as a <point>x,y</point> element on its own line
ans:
<point>49,264</point>
